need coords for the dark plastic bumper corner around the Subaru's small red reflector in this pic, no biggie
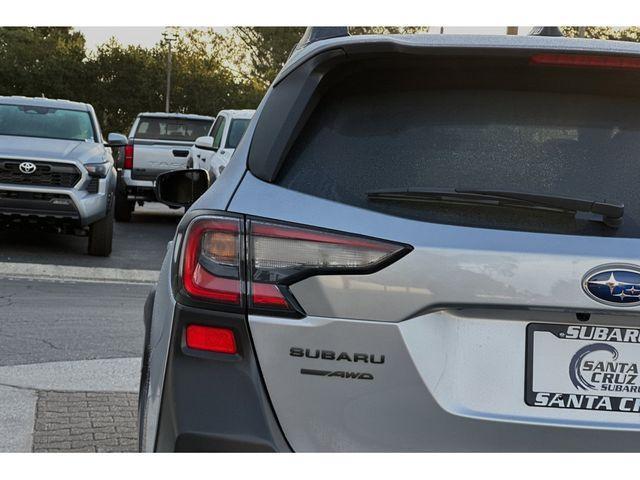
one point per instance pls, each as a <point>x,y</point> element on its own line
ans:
<point>213,402</point>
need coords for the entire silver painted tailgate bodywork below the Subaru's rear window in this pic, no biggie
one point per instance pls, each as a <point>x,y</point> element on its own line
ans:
<point>450,318</point>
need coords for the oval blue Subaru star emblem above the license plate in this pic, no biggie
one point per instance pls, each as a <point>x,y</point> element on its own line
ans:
<point>617,285</point>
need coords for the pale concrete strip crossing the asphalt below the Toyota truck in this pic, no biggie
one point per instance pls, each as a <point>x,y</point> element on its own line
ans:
<point>86,274</point>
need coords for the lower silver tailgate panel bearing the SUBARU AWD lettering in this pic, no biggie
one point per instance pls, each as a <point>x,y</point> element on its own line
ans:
<point>450,382</point>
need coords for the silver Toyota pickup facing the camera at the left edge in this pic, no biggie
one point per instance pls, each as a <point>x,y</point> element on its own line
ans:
<point>56,172</point>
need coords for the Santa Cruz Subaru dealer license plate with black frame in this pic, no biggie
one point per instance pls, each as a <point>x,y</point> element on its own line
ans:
<point>588,347</point>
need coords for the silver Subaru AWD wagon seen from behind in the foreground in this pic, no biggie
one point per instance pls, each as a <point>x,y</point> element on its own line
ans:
<point>422,243</point>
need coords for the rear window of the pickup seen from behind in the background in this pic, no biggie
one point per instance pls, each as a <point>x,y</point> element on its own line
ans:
<point>177,129</point>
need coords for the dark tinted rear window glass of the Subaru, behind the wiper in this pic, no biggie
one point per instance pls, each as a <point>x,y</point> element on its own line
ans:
<point>528,136</point>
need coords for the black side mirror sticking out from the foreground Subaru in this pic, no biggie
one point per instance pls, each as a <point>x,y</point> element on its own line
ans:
<point>181,188</point>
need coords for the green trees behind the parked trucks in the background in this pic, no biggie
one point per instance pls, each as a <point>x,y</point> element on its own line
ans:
<point>210,71</point>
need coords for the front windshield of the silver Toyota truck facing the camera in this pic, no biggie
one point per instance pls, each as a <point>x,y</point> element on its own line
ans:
<point>44,122</point>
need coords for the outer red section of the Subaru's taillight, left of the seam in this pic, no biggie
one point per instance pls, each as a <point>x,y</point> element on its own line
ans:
<point>212,260</point>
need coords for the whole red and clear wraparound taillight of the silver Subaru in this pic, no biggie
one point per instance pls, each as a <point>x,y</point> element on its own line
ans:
<point>276,255</point>
